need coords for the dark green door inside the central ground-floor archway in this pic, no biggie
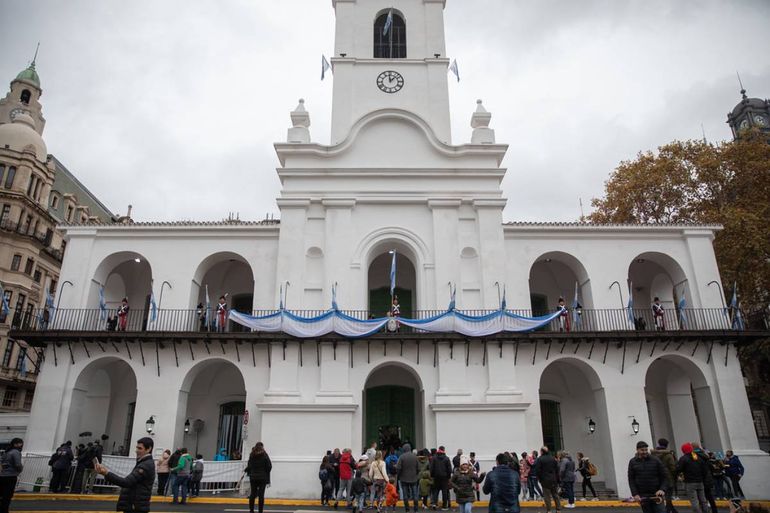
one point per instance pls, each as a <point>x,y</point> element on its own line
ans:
<point>390,415</point>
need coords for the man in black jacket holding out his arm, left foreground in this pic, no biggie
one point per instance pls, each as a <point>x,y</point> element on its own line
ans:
<point>136,487</point>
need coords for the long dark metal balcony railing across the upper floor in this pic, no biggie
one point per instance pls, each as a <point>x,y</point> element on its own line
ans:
<point>601,320</point>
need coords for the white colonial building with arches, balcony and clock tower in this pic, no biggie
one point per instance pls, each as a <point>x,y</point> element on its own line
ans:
<point>344,208</point>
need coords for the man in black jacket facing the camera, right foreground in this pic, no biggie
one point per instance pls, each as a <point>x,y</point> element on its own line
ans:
<point>647,479</point>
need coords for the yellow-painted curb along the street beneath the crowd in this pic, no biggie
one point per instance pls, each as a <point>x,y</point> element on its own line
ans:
<point>315,502</point>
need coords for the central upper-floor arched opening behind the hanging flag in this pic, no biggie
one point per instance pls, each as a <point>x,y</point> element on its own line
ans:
<point>379,280</point>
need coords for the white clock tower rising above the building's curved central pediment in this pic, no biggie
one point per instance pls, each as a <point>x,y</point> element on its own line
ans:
<point>390,55</point>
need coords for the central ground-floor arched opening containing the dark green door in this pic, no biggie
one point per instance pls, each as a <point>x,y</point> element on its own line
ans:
<point>393,407</point>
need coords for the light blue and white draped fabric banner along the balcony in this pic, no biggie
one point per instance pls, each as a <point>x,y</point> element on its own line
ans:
<point>334,321</point>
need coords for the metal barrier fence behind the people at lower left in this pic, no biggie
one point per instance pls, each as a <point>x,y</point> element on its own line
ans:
<point>218,476</point>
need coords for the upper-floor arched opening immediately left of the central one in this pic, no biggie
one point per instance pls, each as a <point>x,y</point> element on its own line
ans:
<point>224,274</point>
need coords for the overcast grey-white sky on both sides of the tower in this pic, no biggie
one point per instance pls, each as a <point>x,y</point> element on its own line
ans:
<point>173,106</point>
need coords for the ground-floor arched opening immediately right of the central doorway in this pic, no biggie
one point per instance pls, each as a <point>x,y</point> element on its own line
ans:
<point>571,394</point>
